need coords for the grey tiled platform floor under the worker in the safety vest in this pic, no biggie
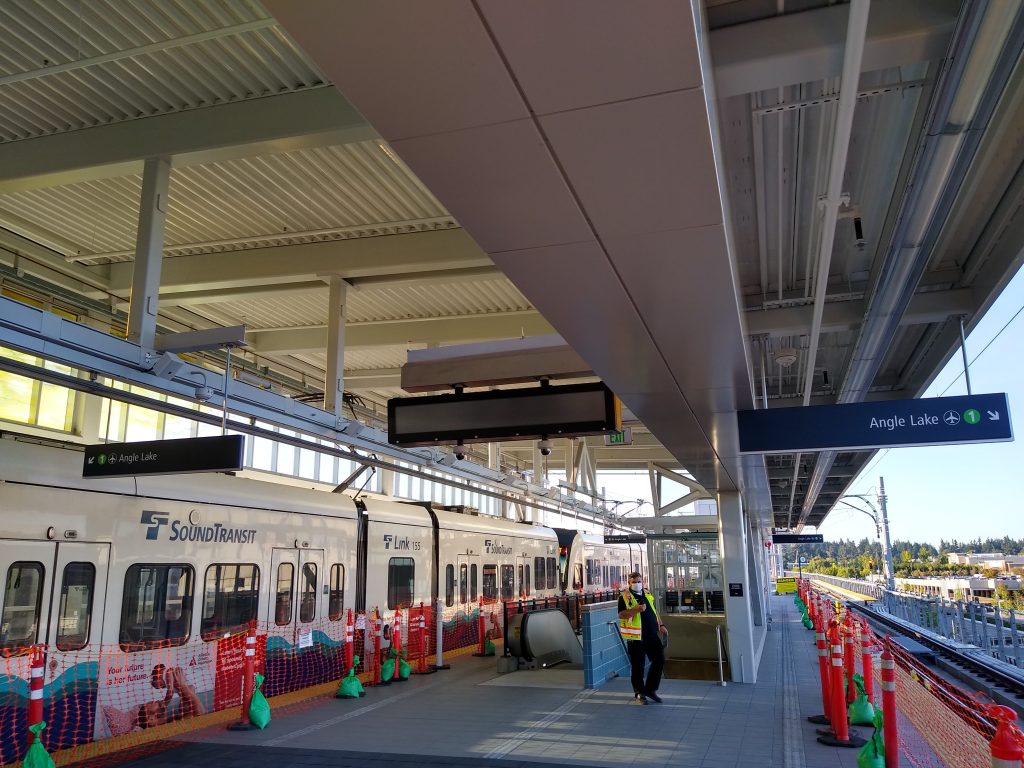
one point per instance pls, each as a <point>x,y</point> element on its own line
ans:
<point>471,716</point>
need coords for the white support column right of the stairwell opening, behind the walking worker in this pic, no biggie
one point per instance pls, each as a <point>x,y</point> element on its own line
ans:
<point>740,622</point>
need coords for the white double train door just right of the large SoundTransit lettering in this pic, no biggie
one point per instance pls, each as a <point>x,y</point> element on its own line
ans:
<point>296,601</point>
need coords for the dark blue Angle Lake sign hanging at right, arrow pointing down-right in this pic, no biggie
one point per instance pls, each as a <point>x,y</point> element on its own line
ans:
<point>858,426</point>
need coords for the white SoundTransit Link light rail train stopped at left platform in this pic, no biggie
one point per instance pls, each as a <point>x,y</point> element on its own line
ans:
<point>123,578</point>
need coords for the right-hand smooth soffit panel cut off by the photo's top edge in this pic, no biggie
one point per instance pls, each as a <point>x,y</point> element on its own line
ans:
<point>571,55</point>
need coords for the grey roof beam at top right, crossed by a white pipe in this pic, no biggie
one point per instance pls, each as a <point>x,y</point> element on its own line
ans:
<point>807,48</point>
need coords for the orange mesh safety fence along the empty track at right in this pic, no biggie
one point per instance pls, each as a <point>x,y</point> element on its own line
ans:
<point>938,724</point>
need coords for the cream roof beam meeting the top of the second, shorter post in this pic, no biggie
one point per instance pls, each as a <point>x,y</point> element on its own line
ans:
<point>363,258</point>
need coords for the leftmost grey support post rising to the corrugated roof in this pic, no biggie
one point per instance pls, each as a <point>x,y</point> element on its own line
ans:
<point>149,252</point>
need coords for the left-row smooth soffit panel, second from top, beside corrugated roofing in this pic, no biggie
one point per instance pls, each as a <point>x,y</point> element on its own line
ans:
<point>503,179</point>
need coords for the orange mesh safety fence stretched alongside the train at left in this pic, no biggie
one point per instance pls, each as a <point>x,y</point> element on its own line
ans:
<point>108,699</point>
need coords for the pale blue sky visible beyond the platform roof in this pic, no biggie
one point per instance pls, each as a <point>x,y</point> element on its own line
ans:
<point>943,492</point>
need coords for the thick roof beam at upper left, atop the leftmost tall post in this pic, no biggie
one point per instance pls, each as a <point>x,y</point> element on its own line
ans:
<point>318,117</point>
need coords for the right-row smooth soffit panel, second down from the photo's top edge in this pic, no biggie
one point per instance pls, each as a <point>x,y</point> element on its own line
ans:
<point>643,165</point>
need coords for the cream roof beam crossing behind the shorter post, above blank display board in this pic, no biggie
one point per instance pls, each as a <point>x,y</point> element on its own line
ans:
<point>444,330</point>
